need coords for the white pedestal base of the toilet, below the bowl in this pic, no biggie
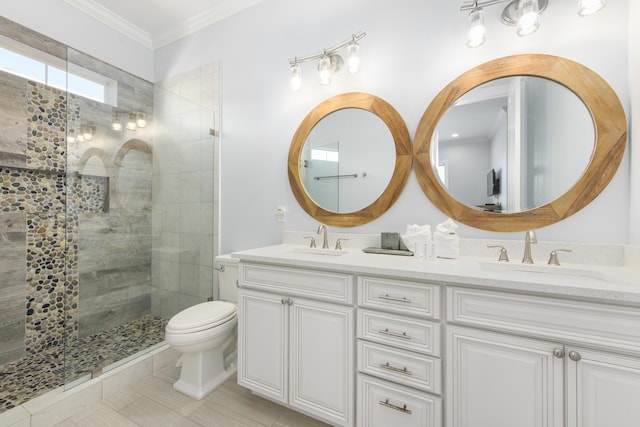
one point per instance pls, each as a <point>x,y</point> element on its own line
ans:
<point>203,372</point>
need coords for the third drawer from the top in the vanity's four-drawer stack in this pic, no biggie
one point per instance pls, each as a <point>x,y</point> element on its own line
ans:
<point>400,366</point>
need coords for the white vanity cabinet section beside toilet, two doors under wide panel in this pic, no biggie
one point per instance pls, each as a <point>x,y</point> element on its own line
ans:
<point>296,339</point>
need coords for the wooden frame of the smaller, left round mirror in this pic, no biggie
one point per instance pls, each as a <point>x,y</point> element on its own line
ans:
<point>401,171</point>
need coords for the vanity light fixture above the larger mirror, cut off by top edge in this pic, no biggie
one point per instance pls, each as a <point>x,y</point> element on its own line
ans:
<point>524,14</point>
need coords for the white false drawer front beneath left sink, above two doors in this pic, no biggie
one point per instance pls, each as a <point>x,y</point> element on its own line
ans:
<point>318,285</point>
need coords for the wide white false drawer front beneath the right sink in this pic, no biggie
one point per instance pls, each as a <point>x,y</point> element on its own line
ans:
<point>600,325</point>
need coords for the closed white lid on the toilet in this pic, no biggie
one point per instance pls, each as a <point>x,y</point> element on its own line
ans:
<point>202,316</point>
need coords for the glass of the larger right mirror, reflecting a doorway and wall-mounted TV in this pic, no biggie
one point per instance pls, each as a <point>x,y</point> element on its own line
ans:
<point>513,144</point>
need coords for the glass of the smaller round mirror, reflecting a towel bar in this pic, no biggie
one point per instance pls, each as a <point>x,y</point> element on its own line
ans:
<point>335,170</point>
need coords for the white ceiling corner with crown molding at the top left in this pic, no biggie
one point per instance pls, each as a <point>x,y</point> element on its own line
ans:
<point>155,23</point>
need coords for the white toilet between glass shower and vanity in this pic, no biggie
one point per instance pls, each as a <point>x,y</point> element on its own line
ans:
<point>206,335</point>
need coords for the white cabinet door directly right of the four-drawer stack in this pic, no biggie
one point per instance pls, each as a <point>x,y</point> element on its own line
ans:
<point>499,380</point>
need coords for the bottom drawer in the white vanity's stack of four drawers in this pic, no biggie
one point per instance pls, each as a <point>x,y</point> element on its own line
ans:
<point>384,404</point>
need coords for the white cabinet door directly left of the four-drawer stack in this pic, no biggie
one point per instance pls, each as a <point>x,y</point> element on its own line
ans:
<point>322,354</point>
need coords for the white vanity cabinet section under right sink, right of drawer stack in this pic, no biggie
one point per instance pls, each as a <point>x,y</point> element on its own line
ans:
<point>543,361</point>
